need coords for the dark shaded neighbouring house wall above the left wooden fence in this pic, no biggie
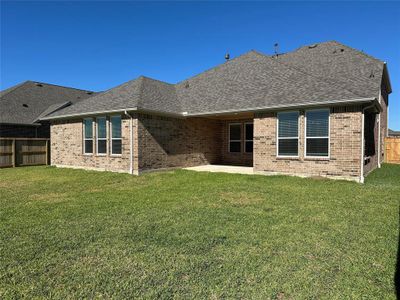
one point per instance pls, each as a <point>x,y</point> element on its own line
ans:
<point>22,131</point>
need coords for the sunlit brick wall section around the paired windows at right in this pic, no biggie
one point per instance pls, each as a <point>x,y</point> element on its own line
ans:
<point>345,146</point>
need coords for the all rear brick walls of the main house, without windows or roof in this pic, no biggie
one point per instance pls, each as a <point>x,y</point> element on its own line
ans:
<point>164,142</point>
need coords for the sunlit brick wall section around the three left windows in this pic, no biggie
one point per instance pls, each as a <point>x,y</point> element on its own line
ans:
<point>67,147</point>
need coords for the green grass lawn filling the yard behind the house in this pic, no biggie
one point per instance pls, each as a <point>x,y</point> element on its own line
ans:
<point>82,234</point>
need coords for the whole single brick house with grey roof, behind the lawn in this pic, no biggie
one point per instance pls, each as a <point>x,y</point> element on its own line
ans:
<point>318,111</point>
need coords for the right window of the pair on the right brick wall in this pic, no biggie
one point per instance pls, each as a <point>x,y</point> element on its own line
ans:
<point>317,133</point>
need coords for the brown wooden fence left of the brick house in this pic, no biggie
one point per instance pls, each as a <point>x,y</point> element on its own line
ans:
<point>15,152</point>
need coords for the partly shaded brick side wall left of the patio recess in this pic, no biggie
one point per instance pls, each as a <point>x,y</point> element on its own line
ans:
<point>166,142</point>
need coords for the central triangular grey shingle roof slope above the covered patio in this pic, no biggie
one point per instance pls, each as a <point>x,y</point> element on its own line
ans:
<point>254,80</point>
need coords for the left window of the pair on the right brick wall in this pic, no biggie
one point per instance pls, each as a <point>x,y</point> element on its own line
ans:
<point>288,133</point>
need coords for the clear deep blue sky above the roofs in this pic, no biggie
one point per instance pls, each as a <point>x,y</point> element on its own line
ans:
<point>98,45</point>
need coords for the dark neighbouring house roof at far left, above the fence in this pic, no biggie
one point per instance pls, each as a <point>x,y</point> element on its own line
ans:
<point>26,102</point>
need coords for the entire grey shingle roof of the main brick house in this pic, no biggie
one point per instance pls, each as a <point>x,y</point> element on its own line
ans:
<point>318,74</point>
